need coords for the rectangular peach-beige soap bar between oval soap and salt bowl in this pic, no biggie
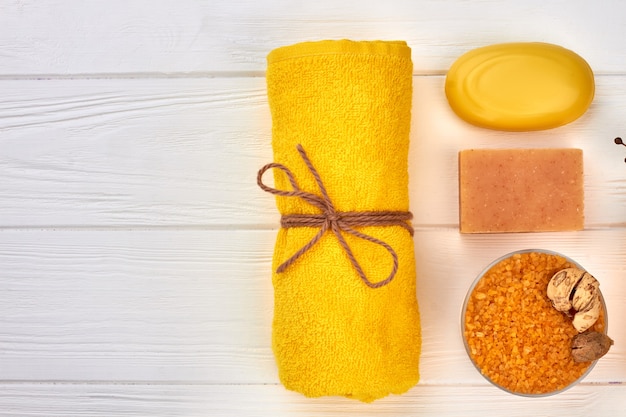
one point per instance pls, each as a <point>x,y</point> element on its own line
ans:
<point>521,190</point>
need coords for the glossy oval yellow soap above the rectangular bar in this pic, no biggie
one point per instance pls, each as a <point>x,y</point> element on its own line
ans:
<point>520,86</point>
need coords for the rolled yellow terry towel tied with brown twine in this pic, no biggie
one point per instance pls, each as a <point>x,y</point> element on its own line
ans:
<point>346,318</point>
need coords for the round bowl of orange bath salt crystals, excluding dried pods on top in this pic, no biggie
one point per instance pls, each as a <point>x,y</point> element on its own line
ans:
<point>513,333</point>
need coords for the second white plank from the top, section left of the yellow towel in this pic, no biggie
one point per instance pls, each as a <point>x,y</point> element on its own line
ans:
<point>133,152</point>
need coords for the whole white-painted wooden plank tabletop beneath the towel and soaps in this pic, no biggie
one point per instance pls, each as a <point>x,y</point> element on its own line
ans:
<point>135,246</point>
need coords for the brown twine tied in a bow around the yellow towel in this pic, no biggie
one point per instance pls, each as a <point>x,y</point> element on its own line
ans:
<point>336,221</point>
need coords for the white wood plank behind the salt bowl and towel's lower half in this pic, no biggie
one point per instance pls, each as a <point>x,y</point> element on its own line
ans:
<point>196,306</point>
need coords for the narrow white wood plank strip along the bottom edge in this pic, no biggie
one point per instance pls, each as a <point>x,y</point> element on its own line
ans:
<point>74,400</point>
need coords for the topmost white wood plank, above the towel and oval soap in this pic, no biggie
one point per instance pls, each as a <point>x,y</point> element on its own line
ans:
<point>130,37</point>
